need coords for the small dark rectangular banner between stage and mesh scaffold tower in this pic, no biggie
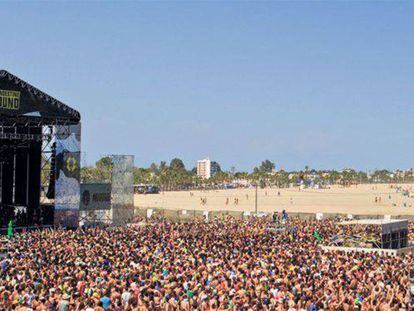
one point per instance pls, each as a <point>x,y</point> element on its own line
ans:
<point>95,196</point>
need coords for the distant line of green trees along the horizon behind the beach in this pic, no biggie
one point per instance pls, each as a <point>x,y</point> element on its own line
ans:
<point>175,176</point>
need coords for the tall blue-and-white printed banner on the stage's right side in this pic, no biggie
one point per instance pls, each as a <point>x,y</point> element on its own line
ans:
<point>67,189</point>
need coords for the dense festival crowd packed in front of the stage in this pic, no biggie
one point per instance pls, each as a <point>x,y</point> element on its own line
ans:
<point>223,264</point>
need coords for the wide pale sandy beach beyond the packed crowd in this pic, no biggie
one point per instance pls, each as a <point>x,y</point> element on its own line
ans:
<point>356,200</point>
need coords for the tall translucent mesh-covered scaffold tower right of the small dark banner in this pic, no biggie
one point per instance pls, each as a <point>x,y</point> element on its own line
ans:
<point>122,189</point>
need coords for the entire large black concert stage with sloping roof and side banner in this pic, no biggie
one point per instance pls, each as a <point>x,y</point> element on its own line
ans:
<point>39,157</point>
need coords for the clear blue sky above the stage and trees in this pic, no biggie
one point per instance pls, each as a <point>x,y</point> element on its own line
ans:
<point>329,85</point>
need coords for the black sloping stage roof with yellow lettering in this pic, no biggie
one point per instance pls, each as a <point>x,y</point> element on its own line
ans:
<point>21,102</point>
